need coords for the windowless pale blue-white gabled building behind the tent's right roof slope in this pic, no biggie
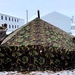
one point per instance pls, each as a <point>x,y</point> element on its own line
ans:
<point>59,20</point>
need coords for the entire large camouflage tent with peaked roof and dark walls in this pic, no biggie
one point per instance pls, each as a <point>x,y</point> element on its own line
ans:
<point>37,45</point>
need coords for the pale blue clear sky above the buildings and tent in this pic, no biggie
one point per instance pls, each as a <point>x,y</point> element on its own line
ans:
<point>18,8</point>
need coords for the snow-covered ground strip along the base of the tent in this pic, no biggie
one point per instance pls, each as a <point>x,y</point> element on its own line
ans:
<point>65,72</point>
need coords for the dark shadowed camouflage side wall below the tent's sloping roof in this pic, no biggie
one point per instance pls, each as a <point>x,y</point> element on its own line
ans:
<point>36,57</point>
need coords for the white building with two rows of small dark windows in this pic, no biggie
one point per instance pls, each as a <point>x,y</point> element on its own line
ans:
<point>12,22</point>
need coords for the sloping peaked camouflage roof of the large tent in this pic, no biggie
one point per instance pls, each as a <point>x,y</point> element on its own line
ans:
<point>39,32</point>
